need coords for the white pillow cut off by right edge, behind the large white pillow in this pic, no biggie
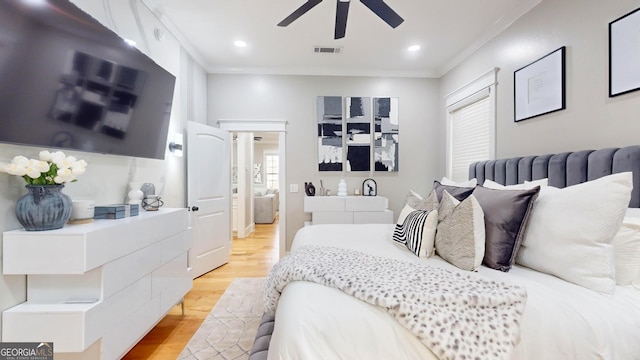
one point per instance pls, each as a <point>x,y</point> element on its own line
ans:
<point>626,249</point>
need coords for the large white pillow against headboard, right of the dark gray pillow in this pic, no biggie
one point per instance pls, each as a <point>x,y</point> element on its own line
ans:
<point>570,231</point>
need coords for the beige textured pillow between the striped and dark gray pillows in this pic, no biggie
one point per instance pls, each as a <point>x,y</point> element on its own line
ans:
<point>460,235</point>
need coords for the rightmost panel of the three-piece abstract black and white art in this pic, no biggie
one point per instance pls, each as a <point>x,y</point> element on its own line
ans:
<point>386,126</point>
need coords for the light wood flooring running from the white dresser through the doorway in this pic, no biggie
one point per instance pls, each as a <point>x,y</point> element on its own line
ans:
<point>250,257</point>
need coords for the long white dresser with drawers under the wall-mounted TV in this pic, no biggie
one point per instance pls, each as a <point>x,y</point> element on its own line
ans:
<point>96,289</point>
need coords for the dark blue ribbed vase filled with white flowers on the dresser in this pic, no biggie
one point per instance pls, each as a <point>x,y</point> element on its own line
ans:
<point>44,207</point>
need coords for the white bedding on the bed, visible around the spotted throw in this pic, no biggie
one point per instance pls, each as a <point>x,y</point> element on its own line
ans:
<point>561,320</point>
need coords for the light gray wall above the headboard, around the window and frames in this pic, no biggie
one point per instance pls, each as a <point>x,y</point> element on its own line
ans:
<point>591,120</point>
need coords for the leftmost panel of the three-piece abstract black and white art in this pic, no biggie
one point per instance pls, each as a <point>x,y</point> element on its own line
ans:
<point>329,117</point>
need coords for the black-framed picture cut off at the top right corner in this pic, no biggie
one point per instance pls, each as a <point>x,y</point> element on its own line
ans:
<point>624,54</point>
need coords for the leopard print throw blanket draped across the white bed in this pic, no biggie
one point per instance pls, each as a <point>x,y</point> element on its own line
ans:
<point>456,315</point>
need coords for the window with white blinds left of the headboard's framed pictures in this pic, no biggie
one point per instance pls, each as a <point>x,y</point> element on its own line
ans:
<point>470,125</point>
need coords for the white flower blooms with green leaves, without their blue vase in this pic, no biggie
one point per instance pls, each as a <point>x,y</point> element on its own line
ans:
<point>53,168</point>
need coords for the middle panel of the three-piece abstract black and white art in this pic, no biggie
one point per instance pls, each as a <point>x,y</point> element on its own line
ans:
<point>358,133</point>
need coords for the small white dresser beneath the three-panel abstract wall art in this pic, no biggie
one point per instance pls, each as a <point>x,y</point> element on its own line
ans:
<point>348,209</point>
